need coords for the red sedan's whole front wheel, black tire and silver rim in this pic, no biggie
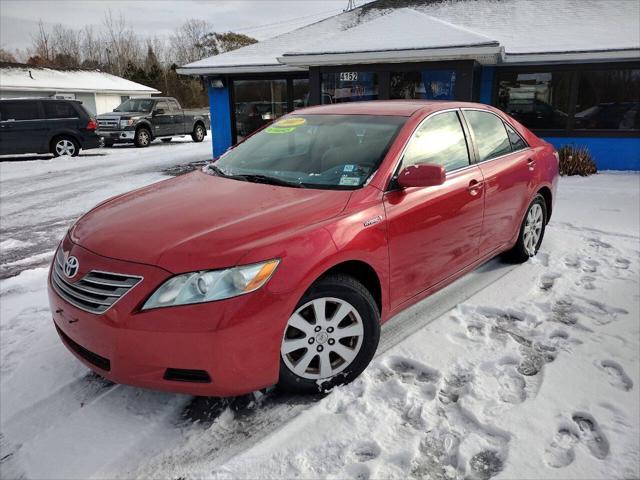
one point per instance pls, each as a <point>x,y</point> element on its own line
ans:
<point>314,343</point>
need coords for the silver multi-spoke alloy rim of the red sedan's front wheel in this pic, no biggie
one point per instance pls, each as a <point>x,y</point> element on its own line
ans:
<point>322,338</point>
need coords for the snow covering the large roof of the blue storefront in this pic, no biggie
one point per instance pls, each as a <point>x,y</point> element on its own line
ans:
<point>521,27</point>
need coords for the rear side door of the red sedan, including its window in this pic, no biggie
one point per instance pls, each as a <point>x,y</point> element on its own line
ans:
<point>508,166</point>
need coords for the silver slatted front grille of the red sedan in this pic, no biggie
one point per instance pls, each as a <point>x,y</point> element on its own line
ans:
<point>96,292</point>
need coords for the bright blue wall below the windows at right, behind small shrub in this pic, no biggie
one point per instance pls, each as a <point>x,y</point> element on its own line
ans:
<point>609,153</point>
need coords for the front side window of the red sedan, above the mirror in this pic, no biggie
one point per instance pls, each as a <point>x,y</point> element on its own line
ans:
<point>439,140</point>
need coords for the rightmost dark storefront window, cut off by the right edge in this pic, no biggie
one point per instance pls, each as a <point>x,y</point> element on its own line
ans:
<point>608,100</point>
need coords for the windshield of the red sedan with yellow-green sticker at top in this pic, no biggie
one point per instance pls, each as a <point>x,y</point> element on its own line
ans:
<point>321,151</point>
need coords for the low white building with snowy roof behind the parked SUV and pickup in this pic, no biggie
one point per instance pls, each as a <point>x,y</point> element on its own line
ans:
<point>99,92</point>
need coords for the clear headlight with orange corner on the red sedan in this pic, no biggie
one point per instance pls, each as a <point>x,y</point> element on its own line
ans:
<point>209,285</point>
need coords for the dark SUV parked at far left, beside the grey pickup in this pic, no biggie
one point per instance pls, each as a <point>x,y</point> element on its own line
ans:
<point>46,125</point>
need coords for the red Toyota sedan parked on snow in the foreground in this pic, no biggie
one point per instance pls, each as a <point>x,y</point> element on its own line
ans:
<point>278,263</point>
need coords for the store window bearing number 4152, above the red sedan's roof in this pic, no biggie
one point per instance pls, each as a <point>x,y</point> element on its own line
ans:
<point>349,86</point>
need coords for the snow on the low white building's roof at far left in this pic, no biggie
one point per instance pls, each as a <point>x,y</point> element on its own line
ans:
<point>27,78</point>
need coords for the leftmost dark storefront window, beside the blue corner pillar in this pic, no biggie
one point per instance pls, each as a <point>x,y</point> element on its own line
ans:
<point>258,102</point>
